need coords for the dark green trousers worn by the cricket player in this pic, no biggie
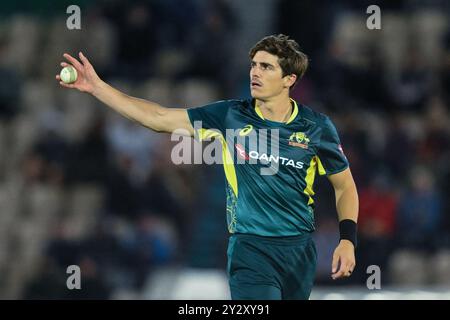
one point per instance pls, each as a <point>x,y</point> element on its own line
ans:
<point>271,268</point>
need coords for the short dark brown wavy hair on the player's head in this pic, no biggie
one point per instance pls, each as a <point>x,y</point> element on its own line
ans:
<point>290,58</point>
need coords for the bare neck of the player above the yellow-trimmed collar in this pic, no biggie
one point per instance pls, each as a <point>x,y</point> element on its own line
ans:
<point>278,109</point>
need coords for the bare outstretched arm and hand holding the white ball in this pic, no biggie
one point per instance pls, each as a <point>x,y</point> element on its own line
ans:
<point>146,113</point>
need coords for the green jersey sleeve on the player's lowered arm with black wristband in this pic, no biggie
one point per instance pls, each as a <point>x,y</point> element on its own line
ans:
<point>330,153</point>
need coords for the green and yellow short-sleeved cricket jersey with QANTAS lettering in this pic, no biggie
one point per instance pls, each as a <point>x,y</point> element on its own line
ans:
<point>280,203</point>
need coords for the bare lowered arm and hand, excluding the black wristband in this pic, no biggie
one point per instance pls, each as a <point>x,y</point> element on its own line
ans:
<point>347,208</point>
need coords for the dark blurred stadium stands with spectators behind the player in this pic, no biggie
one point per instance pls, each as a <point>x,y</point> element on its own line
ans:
<point>81,185</point>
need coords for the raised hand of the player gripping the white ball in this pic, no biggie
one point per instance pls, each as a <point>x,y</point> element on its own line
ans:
<point>87,77</point>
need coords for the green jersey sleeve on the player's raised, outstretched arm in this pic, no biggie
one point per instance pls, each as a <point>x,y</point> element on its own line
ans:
<point>209,118</point>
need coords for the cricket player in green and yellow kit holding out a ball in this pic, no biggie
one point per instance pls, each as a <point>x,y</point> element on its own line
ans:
<point>270,205</point>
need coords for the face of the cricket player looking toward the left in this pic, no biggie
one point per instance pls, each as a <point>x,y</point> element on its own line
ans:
<point>266,78</point>
